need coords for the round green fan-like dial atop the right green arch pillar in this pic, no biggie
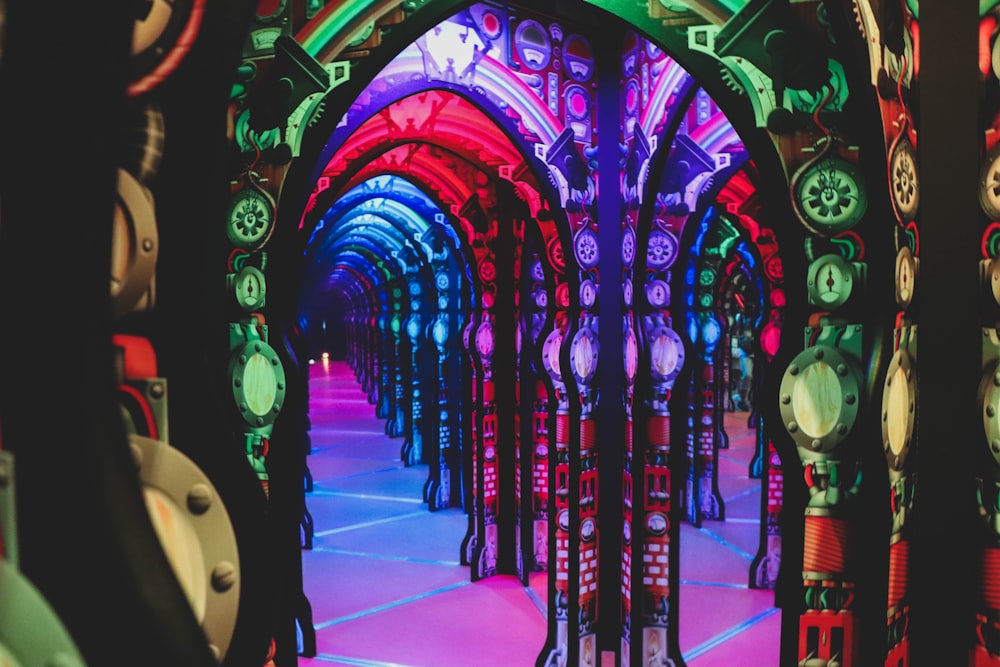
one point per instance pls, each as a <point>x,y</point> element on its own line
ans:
<point>828,195</point>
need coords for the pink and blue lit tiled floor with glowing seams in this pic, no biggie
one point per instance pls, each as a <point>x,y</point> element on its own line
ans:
<point>387,589</point>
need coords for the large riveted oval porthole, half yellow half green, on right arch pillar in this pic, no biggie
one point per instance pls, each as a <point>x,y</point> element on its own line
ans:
<point>818,398</point>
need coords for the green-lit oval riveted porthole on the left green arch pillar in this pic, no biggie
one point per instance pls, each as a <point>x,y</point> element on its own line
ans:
<point>258,382</point>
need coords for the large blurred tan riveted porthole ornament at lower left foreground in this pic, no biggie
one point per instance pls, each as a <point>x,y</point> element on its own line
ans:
<point>196,533</point>
